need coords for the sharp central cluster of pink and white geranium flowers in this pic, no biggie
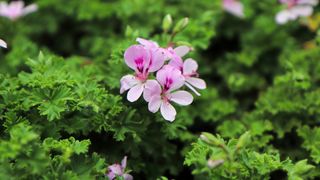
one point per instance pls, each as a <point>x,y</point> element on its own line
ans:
<point>171,72</point>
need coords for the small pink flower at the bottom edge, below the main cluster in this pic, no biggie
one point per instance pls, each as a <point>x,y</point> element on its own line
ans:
<point>116,170</point>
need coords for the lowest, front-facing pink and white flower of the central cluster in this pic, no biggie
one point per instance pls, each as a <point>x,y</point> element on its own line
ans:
<point>158,97</point>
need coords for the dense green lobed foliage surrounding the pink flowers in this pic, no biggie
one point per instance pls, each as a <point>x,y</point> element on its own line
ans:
<point>62,116</point>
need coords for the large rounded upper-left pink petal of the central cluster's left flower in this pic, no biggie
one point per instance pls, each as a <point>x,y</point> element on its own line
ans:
<point>135,52</point>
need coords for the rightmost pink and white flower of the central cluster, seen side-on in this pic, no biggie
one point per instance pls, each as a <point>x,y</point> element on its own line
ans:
<point>189,69</point>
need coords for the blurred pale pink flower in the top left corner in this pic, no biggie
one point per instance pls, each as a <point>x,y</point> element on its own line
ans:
<point>16,9</point>
